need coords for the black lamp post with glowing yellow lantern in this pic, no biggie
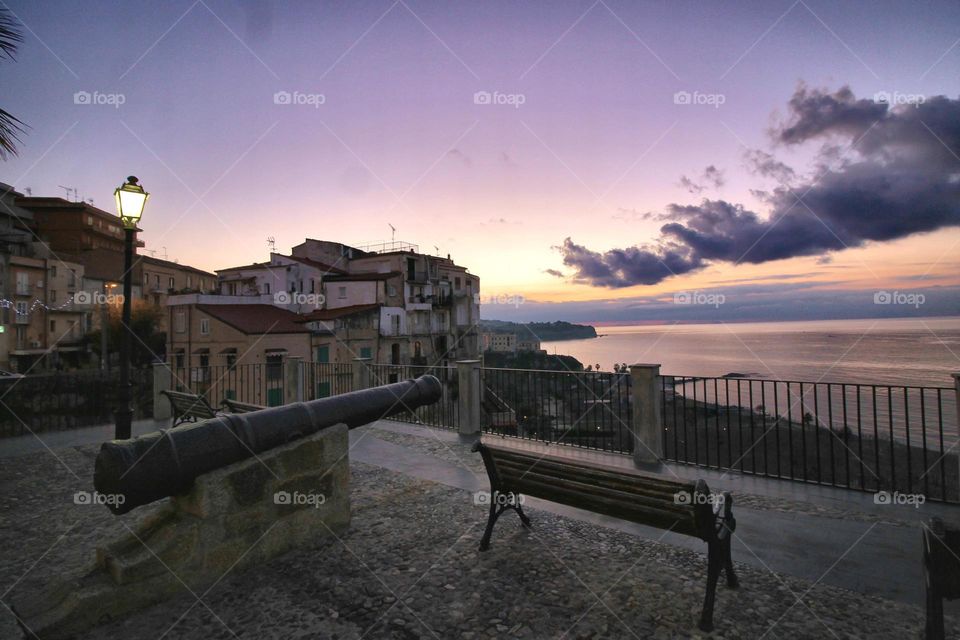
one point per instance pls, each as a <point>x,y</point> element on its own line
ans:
<point>131,199</point>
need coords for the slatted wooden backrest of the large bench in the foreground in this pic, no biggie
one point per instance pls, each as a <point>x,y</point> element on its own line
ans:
<point>666,503</point>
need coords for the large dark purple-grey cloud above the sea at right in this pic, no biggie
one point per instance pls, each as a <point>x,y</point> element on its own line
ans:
<point>896,176</point>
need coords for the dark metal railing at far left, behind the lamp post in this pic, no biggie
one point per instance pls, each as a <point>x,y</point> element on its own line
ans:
<point>59,401</point>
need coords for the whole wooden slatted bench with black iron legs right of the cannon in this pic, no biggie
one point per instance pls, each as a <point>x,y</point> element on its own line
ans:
<point>654,500</point>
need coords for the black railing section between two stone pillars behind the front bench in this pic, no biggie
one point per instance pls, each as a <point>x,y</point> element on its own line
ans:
<point>585,409</point>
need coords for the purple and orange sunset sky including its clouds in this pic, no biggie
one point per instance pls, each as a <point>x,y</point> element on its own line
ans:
<point>590,140</point>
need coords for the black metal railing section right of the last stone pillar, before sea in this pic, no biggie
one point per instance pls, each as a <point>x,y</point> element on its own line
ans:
<point>857,436</point>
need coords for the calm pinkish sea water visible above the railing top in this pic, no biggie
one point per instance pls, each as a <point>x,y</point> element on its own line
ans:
<point>921,352</point>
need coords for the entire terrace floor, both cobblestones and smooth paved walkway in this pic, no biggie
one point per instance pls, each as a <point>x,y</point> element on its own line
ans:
<point>814,562</point>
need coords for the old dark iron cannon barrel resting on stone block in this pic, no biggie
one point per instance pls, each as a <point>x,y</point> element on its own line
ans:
<point>165,463</point>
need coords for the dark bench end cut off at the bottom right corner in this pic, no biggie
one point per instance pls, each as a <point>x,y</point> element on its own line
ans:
<point>941,570</point>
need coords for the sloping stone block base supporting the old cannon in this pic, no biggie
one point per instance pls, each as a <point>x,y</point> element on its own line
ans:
<point>233,518</point>
